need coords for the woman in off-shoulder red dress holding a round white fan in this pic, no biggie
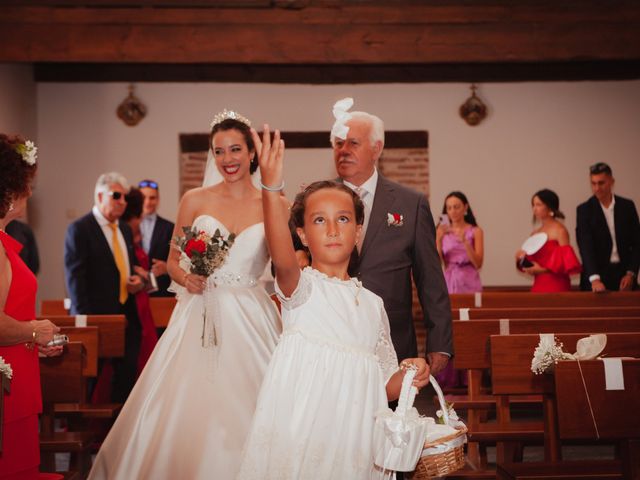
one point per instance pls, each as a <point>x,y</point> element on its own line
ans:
<point>556,260</point>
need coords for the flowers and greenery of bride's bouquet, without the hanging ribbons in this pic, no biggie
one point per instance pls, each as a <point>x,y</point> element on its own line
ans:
<point>205,252</point>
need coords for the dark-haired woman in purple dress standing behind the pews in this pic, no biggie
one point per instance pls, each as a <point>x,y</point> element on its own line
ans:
<point>460,243</point>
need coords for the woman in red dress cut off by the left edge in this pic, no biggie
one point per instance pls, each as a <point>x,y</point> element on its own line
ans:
<point>21,337</point>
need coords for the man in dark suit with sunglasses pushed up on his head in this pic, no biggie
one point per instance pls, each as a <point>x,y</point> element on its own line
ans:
<point>156,236</point>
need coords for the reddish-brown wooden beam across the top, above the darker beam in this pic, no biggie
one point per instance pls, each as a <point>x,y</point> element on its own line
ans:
<point>326,34</point>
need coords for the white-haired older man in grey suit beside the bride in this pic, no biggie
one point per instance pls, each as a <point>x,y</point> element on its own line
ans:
<point>399,241</point>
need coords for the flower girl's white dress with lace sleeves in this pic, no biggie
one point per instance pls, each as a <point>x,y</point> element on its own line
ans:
<point>325,382</point>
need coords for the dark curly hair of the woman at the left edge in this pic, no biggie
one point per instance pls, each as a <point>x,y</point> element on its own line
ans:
<point>16,176</point>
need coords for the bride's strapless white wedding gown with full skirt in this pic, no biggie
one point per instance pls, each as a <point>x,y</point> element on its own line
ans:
<point>189,413</point>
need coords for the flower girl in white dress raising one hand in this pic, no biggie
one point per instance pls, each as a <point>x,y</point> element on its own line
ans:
<point>335,365</point>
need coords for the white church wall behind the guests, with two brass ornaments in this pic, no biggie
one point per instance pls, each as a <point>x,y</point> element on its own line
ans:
<point>537,135</point>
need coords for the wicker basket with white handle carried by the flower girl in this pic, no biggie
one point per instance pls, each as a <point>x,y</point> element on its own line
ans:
<point>444,455</point>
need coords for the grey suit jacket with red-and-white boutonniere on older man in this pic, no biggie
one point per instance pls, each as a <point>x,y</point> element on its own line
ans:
<point>390,255</point>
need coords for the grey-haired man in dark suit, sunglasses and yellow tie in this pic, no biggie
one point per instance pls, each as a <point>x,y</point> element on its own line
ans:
<point>99,260</point>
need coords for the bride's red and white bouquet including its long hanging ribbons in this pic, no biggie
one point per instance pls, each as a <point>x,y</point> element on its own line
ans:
<point>206,253</point>
